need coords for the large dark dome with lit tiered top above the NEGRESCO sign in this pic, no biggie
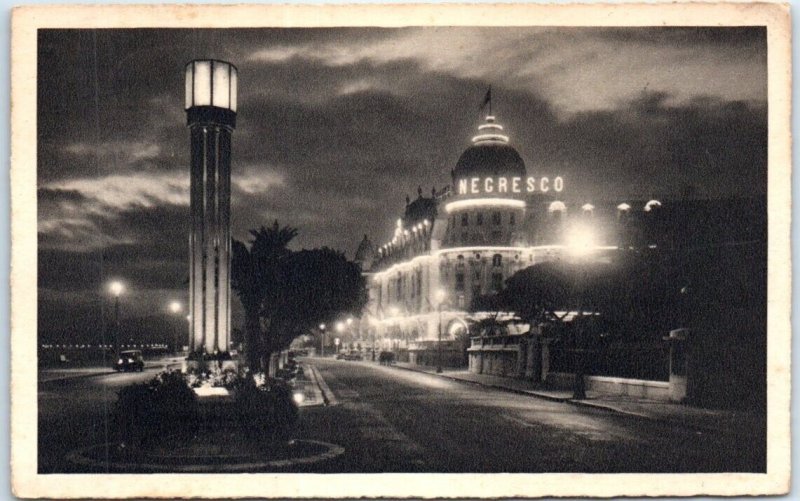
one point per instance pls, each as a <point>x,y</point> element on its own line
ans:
<point>490,155</point>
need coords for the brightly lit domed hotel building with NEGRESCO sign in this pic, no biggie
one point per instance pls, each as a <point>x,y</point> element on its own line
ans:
<point>465,241</point>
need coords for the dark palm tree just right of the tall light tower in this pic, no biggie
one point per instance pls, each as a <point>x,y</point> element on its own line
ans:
<point>255,278</point>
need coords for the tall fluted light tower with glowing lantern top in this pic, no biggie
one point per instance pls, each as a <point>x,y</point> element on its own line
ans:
<point>211,117</point>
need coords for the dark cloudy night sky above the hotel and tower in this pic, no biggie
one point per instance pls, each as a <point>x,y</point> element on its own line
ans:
<point>336,126</point>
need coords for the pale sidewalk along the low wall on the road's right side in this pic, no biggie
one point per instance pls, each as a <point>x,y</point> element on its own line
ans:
<point>686,416</point>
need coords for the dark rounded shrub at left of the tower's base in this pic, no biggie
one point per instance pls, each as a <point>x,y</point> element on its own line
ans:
<point>162,407</point>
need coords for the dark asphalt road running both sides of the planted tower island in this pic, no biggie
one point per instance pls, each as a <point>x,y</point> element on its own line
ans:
<point>394,420</point>
